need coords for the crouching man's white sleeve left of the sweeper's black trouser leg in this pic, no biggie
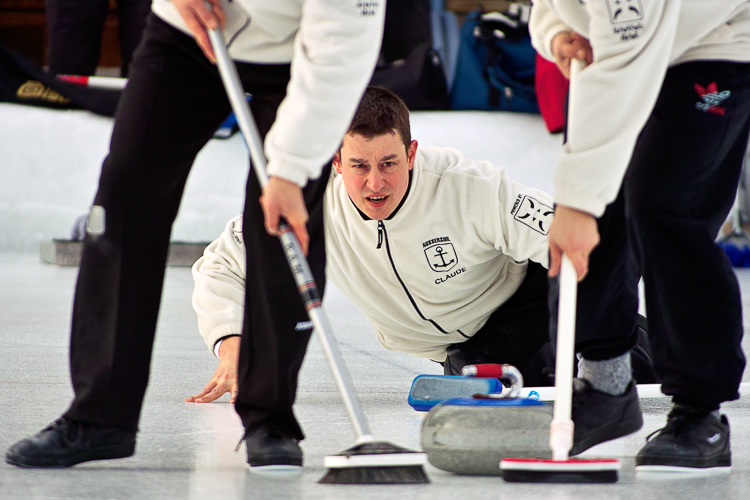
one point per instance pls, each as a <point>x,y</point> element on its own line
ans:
<point>219,292</point>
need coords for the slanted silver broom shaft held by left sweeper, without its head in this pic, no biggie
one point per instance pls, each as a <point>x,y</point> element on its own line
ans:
<point>297,262</point>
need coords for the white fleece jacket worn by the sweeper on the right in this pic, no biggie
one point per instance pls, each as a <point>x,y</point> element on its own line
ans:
<point>634,42</point>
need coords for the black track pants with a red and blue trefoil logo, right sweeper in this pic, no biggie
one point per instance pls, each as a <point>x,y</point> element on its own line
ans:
<point>678,189</point>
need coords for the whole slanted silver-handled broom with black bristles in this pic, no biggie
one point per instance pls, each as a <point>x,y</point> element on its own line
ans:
<point>369,461</point>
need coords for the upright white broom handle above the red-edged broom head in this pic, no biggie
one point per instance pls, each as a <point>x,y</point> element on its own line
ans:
<point>561,429</point>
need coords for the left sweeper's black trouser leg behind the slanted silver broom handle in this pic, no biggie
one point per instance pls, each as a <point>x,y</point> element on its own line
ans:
<point>276,328</point>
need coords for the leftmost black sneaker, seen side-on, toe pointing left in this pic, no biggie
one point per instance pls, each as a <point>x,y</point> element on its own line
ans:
<point>68,442</point>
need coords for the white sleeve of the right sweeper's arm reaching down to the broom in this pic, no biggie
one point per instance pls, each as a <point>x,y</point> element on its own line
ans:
<point>613,99</point>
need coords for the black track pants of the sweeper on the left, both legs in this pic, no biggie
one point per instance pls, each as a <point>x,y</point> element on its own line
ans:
<point>173,103</point>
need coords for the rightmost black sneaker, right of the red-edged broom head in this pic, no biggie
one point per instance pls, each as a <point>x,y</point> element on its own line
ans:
<point>692,438</point>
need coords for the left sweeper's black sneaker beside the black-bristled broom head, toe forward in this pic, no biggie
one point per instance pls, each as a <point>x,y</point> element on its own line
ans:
<point>271,448</point>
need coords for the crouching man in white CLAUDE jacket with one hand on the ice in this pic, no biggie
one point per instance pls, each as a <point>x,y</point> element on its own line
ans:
<point>446,256</point>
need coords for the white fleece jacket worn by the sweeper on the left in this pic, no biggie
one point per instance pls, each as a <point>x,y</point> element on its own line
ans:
<point>333,46</point>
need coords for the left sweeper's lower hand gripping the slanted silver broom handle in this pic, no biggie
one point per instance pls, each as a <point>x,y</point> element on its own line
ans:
<point>282,198</point>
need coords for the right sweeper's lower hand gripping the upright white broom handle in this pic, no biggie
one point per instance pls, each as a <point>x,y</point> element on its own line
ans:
<point>575,234</point>
